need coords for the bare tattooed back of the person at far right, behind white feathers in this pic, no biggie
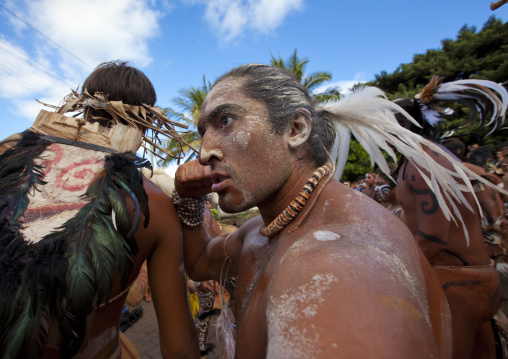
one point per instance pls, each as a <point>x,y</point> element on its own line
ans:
<point>462,265</point>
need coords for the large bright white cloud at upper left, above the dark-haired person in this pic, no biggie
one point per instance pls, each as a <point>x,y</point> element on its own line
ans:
<point>93,31</point>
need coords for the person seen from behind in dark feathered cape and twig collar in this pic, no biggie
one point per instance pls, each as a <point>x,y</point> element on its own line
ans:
<point>78,220</point>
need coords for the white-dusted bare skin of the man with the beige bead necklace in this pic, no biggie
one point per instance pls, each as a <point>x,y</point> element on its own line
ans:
<point>332,288</point>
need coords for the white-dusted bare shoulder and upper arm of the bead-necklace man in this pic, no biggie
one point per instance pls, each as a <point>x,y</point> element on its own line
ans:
<point>363,277</point>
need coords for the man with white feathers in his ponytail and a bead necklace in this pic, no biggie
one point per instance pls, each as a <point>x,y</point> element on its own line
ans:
<point>313,279</point>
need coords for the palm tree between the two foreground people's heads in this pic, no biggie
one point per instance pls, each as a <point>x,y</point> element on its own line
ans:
<point>189,102</point>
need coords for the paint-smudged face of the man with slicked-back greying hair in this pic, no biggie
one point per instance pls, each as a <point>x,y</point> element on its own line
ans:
<point>248,161</point>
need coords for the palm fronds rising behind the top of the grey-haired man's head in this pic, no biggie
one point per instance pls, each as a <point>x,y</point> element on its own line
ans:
<point>297,66</point>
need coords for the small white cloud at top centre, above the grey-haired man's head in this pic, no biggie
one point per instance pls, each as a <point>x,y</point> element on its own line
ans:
<point>230,18</point>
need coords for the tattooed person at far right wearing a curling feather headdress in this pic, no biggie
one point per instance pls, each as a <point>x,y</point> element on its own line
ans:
<point>457,252</point>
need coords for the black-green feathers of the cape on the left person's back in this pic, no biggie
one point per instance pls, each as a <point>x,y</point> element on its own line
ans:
<point>71,270</point>
